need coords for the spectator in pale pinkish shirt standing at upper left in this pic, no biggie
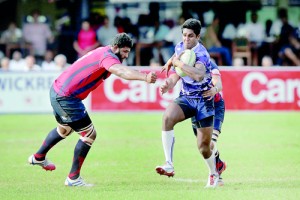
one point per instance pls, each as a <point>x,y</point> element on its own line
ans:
<point>38,34</point>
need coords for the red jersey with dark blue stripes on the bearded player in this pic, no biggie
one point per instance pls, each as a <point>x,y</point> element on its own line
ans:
<point>86,74</point>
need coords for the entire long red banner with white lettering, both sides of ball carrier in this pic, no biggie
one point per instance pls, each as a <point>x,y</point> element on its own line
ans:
<point>247,88</point>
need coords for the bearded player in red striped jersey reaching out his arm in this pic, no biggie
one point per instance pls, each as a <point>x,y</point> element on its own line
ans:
<point>73,86</point>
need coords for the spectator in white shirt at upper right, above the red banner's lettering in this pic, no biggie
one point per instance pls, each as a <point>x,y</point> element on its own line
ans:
<point>256,36</point>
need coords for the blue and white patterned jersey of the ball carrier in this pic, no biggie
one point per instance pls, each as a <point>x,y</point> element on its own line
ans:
<point>190,87</point>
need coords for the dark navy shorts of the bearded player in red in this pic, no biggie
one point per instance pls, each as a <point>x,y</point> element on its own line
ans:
<point>69,110</point>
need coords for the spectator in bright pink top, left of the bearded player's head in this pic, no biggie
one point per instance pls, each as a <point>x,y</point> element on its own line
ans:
<point>86,39</point>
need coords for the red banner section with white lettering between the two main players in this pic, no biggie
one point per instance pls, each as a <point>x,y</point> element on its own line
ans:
<point>119,94</point>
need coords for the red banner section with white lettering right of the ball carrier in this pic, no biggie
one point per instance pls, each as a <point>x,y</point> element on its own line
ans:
<point>261,88</point>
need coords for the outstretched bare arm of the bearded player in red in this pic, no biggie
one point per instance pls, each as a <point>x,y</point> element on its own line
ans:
<point>131,74</point>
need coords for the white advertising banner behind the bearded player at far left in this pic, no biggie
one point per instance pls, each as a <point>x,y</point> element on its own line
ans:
<point>23,92</point>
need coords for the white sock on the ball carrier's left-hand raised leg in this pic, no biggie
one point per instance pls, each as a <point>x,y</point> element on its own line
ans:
<point>168,141</point>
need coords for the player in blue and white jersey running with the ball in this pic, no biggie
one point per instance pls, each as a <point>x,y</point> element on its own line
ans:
<point>190,102</point>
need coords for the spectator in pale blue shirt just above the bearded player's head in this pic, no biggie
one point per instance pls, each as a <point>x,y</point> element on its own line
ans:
<point>105,32</point>
